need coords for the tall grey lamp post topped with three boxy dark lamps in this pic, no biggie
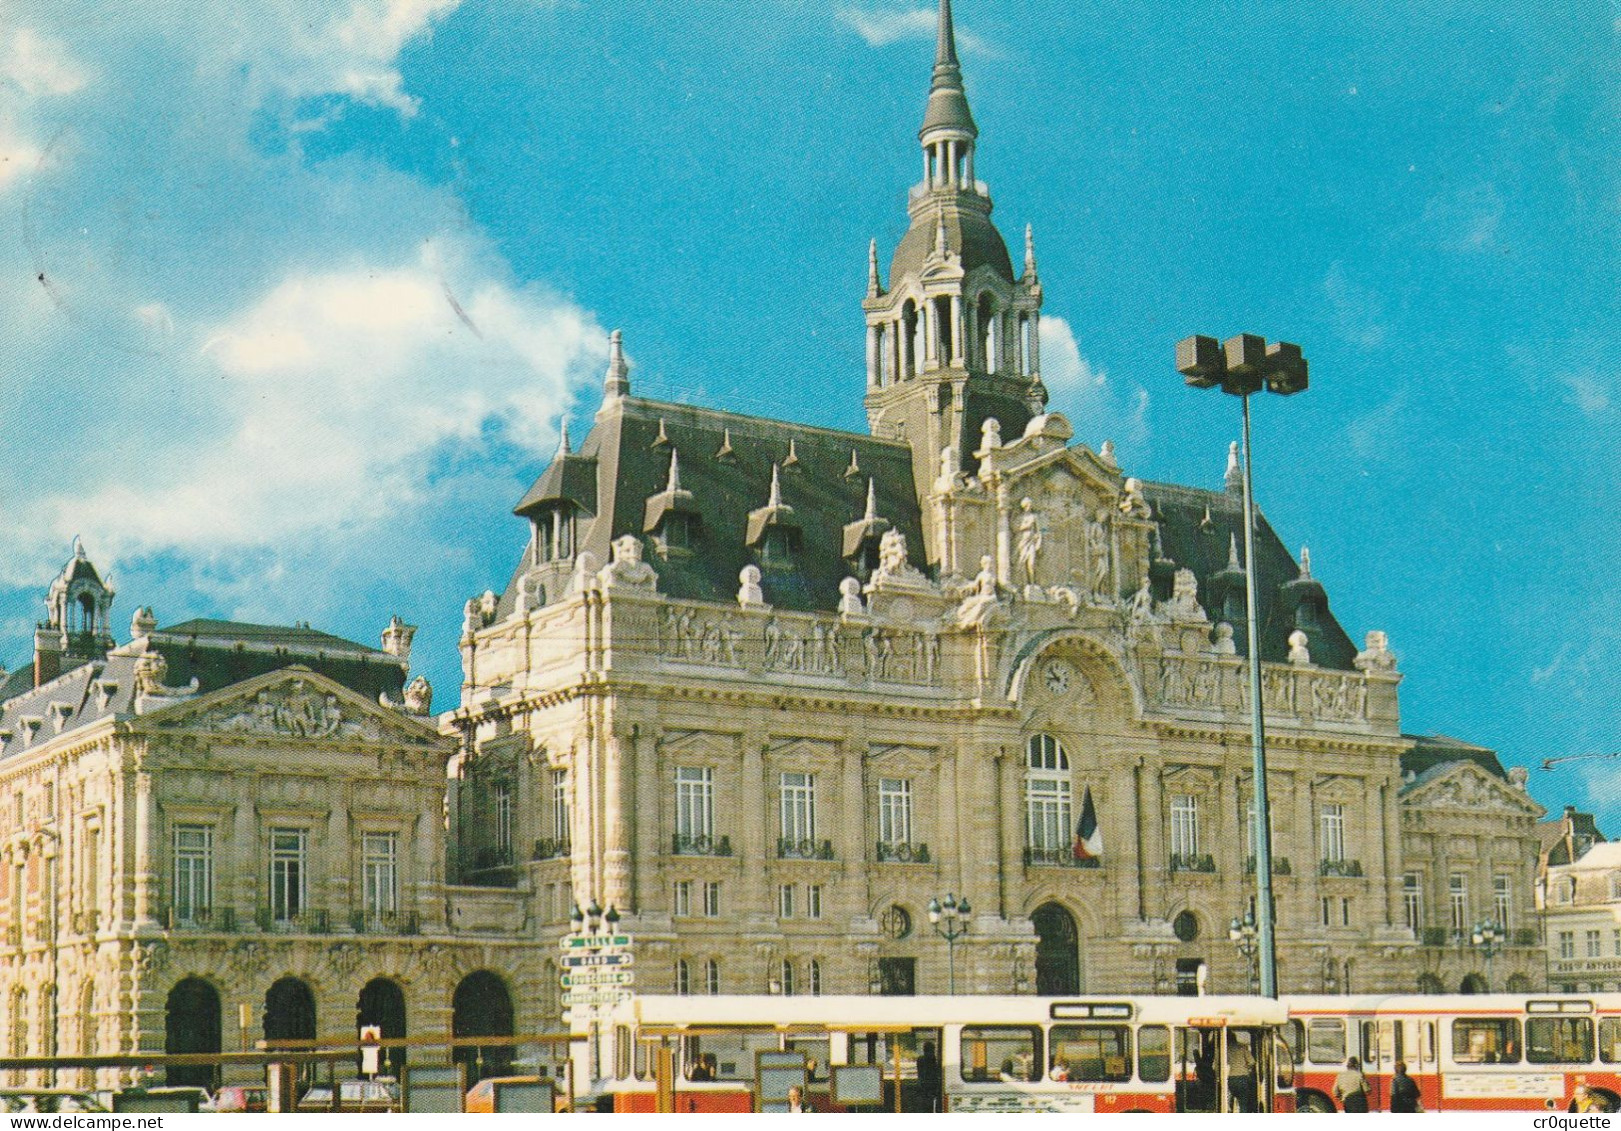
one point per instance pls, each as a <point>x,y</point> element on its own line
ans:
<point>1242,367</point>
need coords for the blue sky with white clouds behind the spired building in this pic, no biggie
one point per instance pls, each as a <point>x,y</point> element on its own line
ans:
<point>294,294</point>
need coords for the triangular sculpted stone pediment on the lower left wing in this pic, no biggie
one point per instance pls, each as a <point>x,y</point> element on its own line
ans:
<point>293,704</point>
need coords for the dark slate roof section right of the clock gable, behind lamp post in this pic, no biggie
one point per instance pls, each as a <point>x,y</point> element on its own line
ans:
<point>1192,542</point>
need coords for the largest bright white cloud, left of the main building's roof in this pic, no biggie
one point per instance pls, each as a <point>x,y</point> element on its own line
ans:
<point>340,391</point>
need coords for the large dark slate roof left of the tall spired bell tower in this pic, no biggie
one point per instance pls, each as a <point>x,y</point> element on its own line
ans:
<point>623,464</point>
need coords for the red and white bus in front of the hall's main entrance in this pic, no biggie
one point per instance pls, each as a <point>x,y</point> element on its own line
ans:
<point>925,1054</point>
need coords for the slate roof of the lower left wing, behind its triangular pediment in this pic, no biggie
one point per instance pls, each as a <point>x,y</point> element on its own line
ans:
<point>216,654</point>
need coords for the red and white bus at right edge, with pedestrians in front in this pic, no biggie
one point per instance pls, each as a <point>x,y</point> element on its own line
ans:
<point>1466,1052</point>
